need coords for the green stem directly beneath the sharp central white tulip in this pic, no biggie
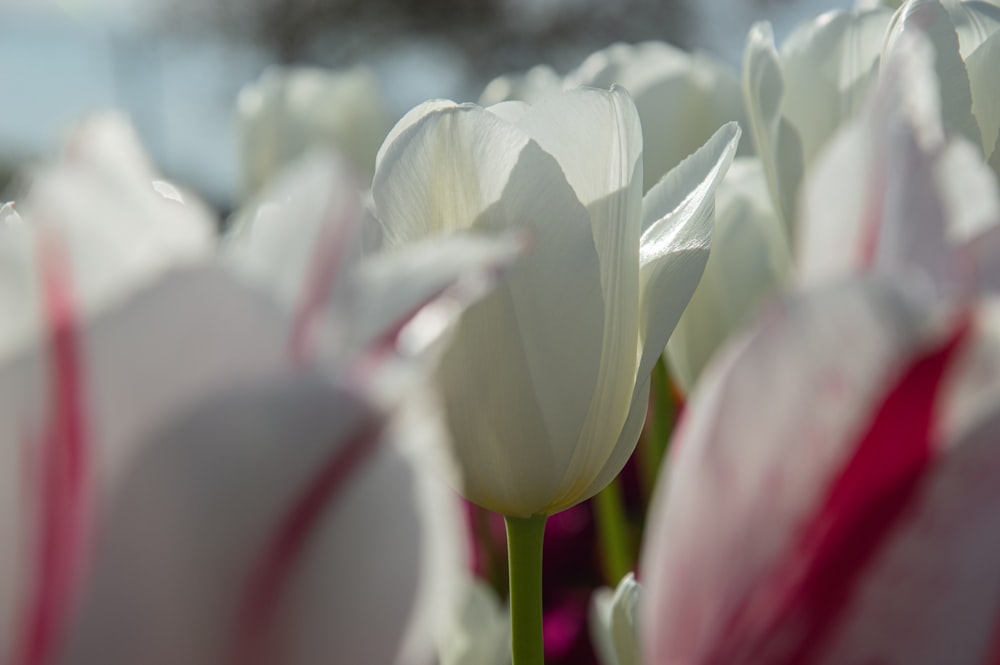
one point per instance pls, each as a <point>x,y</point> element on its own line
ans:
<point>524,555</point>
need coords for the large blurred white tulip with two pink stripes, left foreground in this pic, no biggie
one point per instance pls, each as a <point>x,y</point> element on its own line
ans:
<point>192,471</point>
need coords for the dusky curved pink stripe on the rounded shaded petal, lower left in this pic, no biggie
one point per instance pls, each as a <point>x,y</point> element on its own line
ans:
<point>273,571</point>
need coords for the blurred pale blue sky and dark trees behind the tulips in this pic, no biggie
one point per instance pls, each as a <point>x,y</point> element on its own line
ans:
<point>176,66</point>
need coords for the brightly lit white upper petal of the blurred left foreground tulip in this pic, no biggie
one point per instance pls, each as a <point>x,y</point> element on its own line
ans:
<point>139,231</point>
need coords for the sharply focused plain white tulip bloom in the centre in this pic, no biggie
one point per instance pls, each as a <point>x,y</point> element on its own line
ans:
<point>546,381</point>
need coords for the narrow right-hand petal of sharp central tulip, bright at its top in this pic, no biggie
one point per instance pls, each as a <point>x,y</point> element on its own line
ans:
<point>612,195</point>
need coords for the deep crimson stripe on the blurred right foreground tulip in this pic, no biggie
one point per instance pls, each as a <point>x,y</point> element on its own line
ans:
<point>789,617</point>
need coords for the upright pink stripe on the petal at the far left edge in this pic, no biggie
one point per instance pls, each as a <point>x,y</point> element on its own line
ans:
<point>64,469</point>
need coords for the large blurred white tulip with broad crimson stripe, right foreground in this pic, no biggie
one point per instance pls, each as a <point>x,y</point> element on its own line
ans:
<point>832,493</point>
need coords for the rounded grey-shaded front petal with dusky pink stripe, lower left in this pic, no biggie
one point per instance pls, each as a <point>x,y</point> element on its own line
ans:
<point>184,537</point>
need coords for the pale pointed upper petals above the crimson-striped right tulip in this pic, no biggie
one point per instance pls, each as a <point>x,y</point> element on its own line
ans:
<point>912,198</point>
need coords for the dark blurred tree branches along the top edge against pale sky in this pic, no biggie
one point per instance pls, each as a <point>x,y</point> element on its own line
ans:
<point>494,35</point>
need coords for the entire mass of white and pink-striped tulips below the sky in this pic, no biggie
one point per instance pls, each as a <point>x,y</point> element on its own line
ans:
<point>254,447</point>
